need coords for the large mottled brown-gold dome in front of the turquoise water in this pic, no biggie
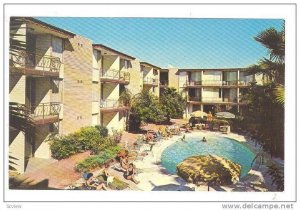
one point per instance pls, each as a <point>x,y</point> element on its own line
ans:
<point>213,170</point>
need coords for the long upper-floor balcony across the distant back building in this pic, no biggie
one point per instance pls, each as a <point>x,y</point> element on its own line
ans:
<point>216,83</point>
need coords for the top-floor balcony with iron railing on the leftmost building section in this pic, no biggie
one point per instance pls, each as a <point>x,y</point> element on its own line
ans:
<point>34,64</point>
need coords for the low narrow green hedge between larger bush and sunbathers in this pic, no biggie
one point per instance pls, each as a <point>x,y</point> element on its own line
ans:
<point>97,160</point>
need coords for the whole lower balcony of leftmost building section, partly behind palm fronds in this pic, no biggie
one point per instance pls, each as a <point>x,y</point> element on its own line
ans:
<point>22,116</point>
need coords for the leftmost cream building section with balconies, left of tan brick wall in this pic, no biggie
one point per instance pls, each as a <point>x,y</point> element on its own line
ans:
<point>36,73</point>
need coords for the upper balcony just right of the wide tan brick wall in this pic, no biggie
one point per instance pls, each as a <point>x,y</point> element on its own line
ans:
<point>114,76</point>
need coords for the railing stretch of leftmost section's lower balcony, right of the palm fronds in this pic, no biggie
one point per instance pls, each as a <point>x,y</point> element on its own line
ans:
<point>45,109</point>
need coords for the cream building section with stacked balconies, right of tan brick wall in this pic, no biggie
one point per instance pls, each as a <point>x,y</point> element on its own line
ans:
<point>114,69</point>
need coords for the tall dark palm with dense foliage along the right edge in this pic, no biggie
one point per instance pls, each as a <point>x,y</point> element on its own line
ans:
<point>266,107</point>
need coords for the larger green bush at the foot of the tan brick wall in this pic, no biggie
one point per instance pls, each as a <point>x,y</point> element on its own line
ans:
<point>88,138</point>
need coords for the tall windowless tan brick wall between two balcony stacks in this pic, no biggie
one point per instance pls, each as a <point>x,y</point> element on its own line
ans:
<point>77,85</point>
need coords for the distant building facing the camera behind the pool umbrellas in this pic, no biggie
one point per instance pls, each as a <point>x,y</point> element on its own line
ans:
<point>211,89</point>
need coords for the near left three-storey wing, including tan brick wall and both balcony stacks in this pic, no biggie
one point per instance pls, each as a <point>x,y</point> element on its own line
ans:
<point>59,83</point>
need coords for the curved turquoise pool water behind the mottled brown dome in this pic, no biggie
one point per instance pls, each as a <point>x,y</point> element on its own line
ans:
<point>215,145</point>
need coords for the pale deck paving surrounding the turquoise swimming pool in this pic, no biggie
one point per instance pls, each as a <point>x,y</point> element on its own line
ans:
<point>153,176</point>
